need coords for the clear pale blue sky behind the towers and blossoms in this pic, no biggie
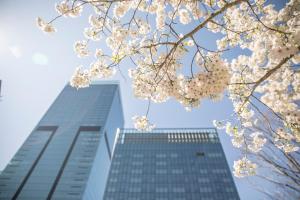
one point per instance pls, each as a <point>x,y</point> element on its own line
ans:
<point>35,67</point>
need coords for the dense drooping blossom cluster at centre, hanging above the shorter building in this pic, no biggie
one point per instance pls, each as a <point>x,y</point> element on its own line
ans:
<point>187,90</point>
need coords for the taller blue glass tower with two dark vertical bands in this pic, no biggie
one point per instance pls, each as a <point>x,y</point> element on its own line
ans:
<point>67,155</point>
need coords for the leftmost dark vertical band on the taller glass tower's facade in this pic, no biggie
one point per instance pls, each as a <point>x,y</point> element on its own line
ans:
<point>41,128</point>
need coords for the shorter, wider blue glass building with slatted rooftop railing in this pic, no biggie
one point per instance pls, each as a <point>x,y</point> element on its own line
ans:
<point>169,164</point>
